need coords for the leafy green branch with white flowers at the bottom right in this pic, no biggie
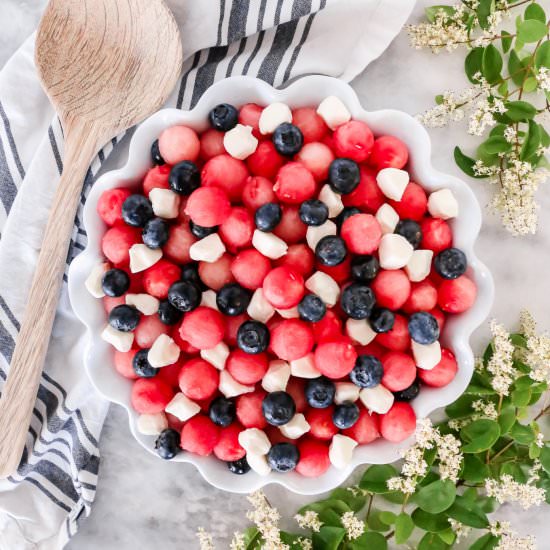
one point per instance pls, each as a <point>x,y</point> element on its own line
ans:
<point>491,450</point>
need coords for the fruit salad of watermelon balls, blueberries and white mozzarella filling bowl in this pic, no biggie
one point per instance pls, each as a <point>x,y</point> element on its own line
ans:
<point>276,288</point>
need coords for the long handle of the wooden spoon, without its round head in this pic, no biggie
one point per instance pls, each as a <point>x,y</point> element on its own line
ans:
<point>19,392</point>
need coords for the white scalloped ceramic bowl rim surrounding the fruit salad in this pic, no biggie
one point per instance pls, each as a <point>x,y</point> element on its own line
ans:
<point>307,91</point>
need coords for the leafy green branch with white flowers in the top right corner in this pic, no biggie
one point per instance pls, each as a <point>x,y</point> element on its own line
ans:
<point>508,102</point>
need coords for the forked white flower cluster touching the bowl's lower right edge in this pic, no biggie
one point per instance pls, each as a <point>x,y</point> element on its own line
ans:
<point>414,465</point>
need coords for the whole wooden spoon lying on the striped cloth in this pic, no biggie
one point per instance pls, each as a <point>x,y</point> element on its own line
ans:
<point>106,65</point>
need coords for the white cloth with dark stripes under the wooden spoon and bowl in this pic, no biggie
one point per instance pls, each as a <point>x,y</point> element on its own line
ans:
<point>276,40</point>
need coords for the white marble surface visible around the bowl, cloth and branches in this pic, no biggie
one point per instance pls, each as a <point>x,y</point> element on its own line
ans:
<point>143,503</point>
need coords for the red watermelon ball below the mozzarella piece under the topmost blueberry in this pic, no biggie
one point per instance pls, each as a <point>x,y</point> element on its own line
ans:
<point>227,173</point>
